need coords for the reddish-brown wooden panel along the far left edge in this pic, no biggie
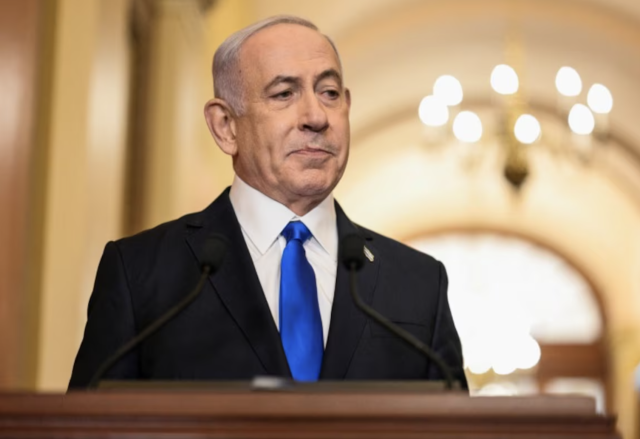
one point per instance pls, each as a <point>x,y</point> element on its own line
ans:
<point>19,38</point>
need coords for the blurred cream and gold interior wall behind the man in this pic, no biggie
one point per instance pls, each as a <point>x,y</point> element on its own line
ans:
<point>102,135</point>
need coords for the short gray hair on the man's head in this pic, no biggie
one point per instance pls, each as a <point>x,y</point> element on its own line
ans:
<point>227,82</point>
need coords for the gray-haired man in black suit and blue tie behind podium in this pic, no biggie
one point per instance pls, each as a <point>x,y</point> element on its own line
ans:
<point>280,303</point>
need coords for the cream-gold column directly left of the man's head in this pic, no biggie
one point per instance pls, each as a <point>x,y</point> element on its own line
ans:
<point>177,178</point>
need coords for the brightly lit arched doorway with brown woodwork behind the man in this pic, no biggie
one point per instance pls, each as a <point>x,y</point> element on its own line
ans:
<point>530,322</point>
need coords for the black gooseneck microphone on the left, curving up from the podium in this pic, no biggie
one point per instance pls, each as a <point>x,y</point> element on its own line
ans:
<point>213,252</point>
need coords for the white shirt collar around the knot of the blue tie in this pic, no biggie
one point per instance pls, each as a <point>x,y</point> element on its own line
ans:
<point>263,218</point>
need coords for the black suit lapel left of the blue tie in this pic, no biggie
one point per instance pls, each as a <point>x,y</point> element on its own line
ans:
<point>238,286</point>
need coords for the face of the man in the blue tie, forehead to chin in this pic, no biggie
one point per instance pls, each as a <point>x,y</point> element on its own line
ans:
<point>293,136</point>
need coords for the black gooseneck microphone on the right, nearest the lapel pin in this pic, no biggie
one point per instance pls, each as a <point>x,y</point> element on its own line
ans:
<point>352,257</point>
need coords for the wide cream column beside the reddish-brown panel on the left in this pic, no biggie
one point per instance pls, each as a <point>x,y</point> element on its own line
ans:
<point>83,185</point>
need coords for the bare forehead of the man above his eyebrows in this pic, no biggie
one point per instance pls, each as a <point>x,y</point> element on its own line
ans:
<point>289,49</point>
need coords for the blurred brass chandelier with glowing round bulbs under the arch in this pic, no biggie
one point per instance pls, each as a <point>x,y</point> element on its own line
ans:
<point>515,128</point>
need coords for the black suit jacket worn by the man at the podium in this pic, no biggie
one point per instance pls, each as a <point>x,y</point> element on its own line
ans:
<point>229,332</point>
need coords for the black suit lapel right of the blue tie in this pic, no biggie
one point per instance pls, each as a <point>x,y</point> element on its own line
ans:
<point>347,321</point>
